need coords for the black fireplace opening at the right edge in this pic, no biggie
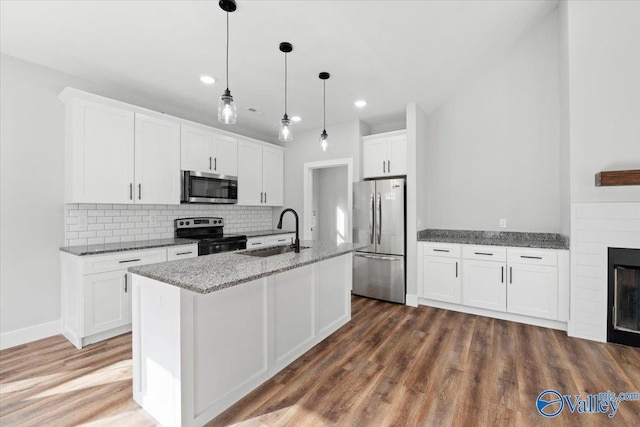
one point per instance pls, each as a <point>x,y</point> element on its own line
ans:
<point>624,296</point>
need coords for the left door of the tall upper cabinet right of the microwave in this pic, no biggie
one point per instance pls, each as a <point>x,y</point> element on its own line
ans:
<point>250,174</point>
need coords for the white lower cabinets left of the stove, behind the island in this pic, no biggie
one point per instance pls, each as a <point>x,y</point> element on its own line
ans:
<point>96,291</point>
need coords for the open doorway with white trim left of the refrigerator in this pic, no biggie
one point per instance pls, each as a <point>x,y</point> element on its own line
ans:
<point>328,200</point>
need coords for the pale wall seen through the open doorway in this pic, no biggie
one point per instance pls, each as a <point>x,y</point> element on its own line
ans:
<point>332,198</point>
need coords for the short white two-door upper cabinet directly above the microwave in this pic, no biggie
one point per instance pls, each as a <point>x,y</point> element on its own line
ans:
<point>203,150</point>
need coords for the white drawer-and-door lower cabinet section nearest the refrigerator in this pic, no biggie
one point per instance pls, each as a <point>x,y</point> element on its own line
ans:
<point>441,272</point>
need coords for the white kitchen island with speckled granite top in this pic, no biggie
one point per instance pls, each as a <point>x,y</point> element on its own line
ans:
<point>208,330</point>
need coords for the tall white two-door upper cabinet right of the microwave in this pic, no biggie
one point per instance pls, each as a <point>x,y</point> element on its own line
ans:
<point>260,174</point>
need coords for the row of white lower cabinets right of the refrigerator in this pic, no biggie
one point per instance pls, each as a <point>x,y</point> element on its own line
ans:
<point>520,281</point>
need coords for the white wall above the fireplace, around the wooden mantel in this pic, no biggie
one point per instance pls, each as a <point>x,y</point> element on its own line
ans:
<point>604,70</point>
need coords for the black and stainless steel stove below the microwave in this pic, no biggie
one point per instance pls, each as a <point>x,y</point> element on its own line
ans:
<point>210,235</point>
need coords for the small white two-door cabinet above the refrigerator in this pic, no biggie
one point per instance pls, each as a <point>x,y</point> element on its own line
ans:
<point>384,154</point>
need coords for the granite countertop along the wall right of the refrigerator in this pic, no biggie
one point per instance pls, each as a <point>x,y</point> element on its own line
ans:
<point>496,238</point>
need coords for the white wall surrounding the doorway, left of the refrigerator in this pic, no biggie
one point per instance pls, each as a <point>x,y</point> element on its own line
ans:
<point>344,142</point>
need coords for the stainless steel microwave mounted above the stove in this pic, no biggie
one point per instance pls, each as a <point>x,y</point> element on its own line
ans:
<point>201,187</point>
